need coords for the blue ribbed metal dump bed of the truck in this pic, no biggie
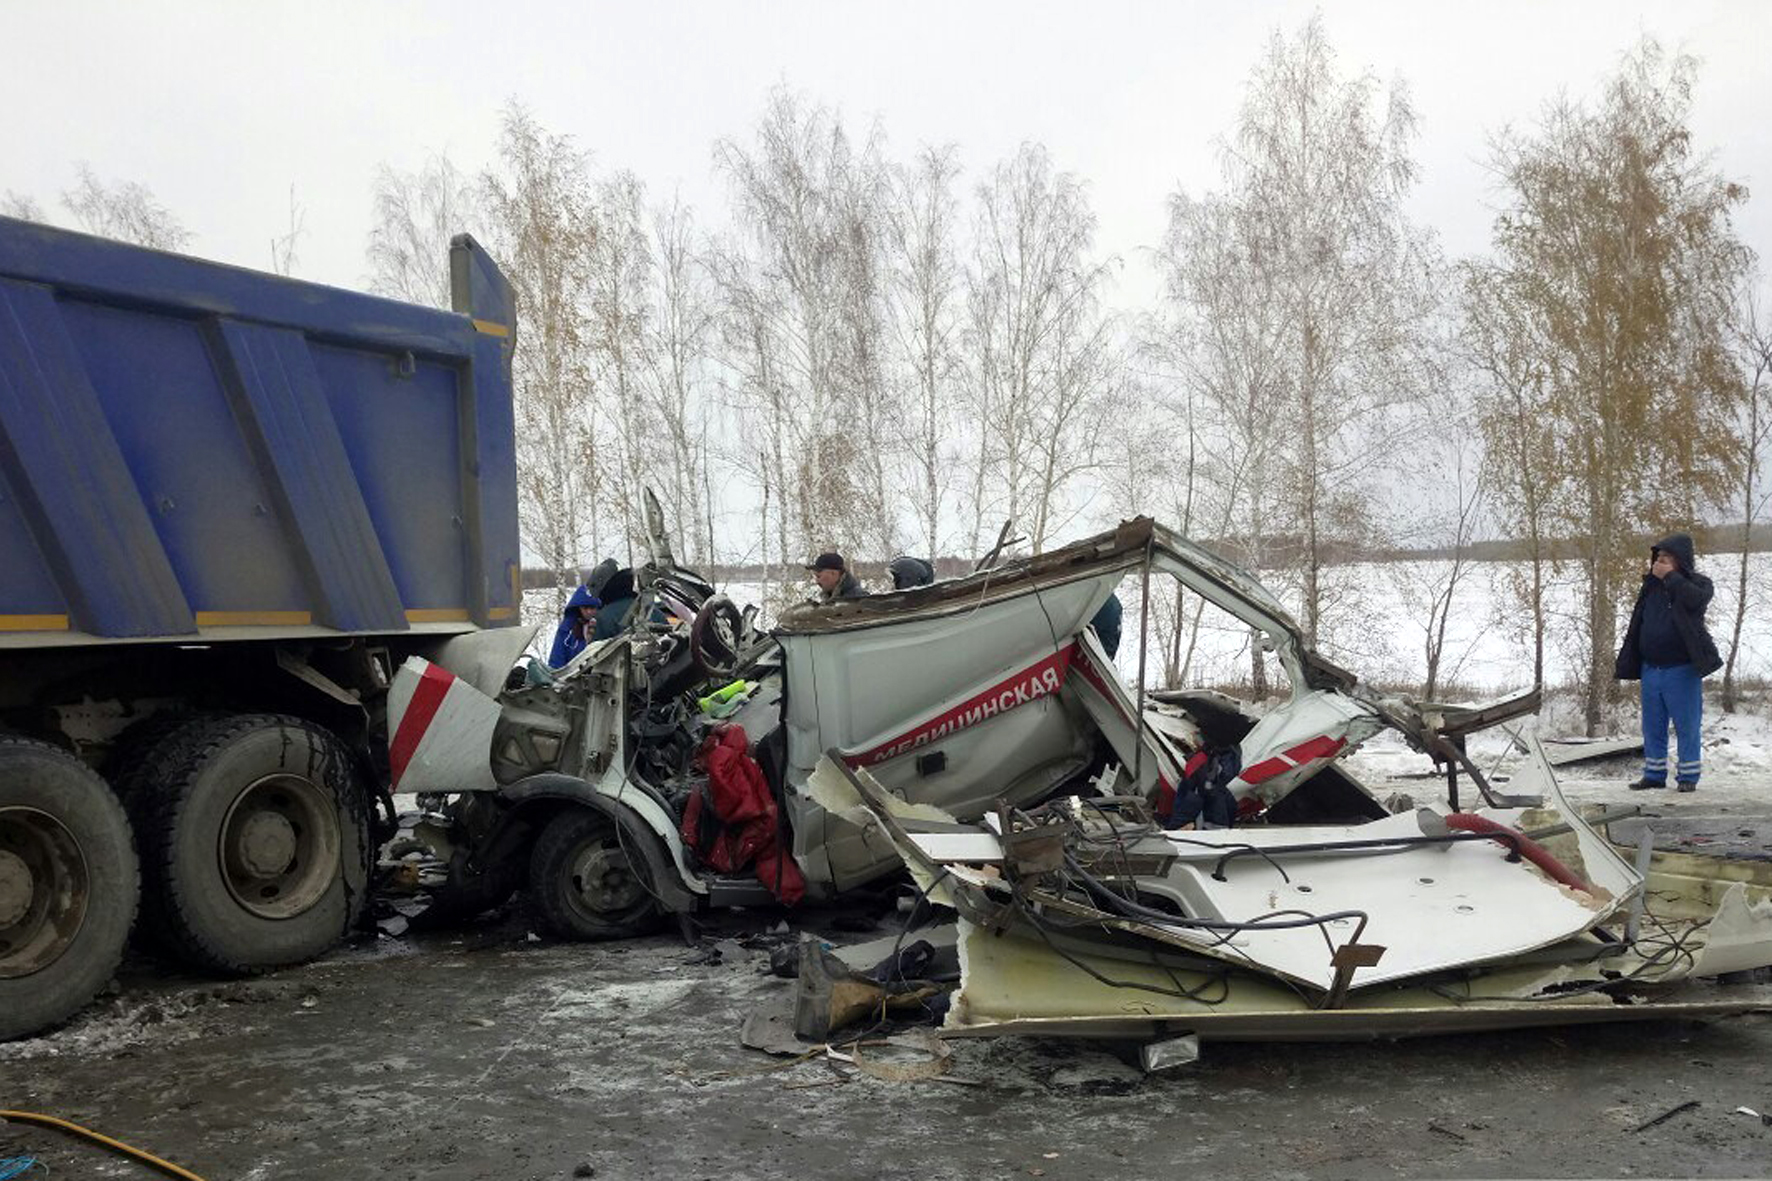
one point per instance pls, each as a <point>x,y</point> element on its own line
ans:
<point>198,451</point>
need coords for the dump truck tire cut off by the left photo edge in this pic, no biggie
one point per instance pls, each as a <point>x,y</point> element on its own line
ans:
<point>68,886</point>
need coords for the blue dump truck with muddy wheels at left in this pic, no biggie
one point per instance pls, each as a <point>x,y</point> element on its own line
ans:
<point>231,506</point>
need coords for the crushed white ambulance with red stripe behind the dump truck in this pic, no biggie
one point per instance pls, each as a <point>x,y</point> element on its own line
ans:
<point>614,799</point>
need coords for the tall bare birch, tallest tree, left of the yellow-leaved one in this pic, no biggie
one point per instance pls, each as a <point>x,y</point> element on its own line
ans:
<point>1317,171</point>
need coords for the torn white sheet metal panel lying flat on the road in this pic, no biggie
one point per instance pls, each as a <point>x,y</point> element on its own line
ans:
<point>1039,957</point>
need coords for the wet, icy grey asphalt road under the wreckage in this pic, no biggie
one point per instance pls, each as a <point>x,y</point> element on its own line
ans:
<point>490,1054</point>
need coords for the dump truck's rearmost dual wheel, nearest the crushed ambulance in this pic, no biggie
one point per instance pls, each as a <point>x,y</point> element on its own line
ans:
<point>256,845</point>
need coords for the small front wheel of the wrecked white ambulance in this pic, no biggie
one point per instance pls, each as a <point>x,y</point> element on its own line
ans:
<point>591,880</point>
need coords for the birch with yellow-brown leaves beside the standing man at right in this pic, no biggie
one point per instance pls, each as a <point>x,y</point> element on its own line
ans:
<point>1622,265</point>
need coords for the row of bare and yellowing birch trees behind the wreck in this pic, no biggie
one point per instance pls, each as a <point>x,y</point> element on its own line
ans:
<point>890,352</point>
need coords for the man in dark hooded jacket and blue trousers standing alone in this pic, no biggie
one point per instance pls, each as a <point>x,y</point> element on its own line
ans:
<point>1670,652</point>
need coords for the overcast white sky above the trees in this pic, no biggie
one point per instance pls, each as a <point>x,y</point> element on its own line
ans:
<point>222,107</point>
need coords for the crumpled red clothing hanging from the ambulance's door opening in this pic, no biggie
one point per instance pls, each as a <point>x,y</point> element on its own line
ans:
<point>747,815</point>
